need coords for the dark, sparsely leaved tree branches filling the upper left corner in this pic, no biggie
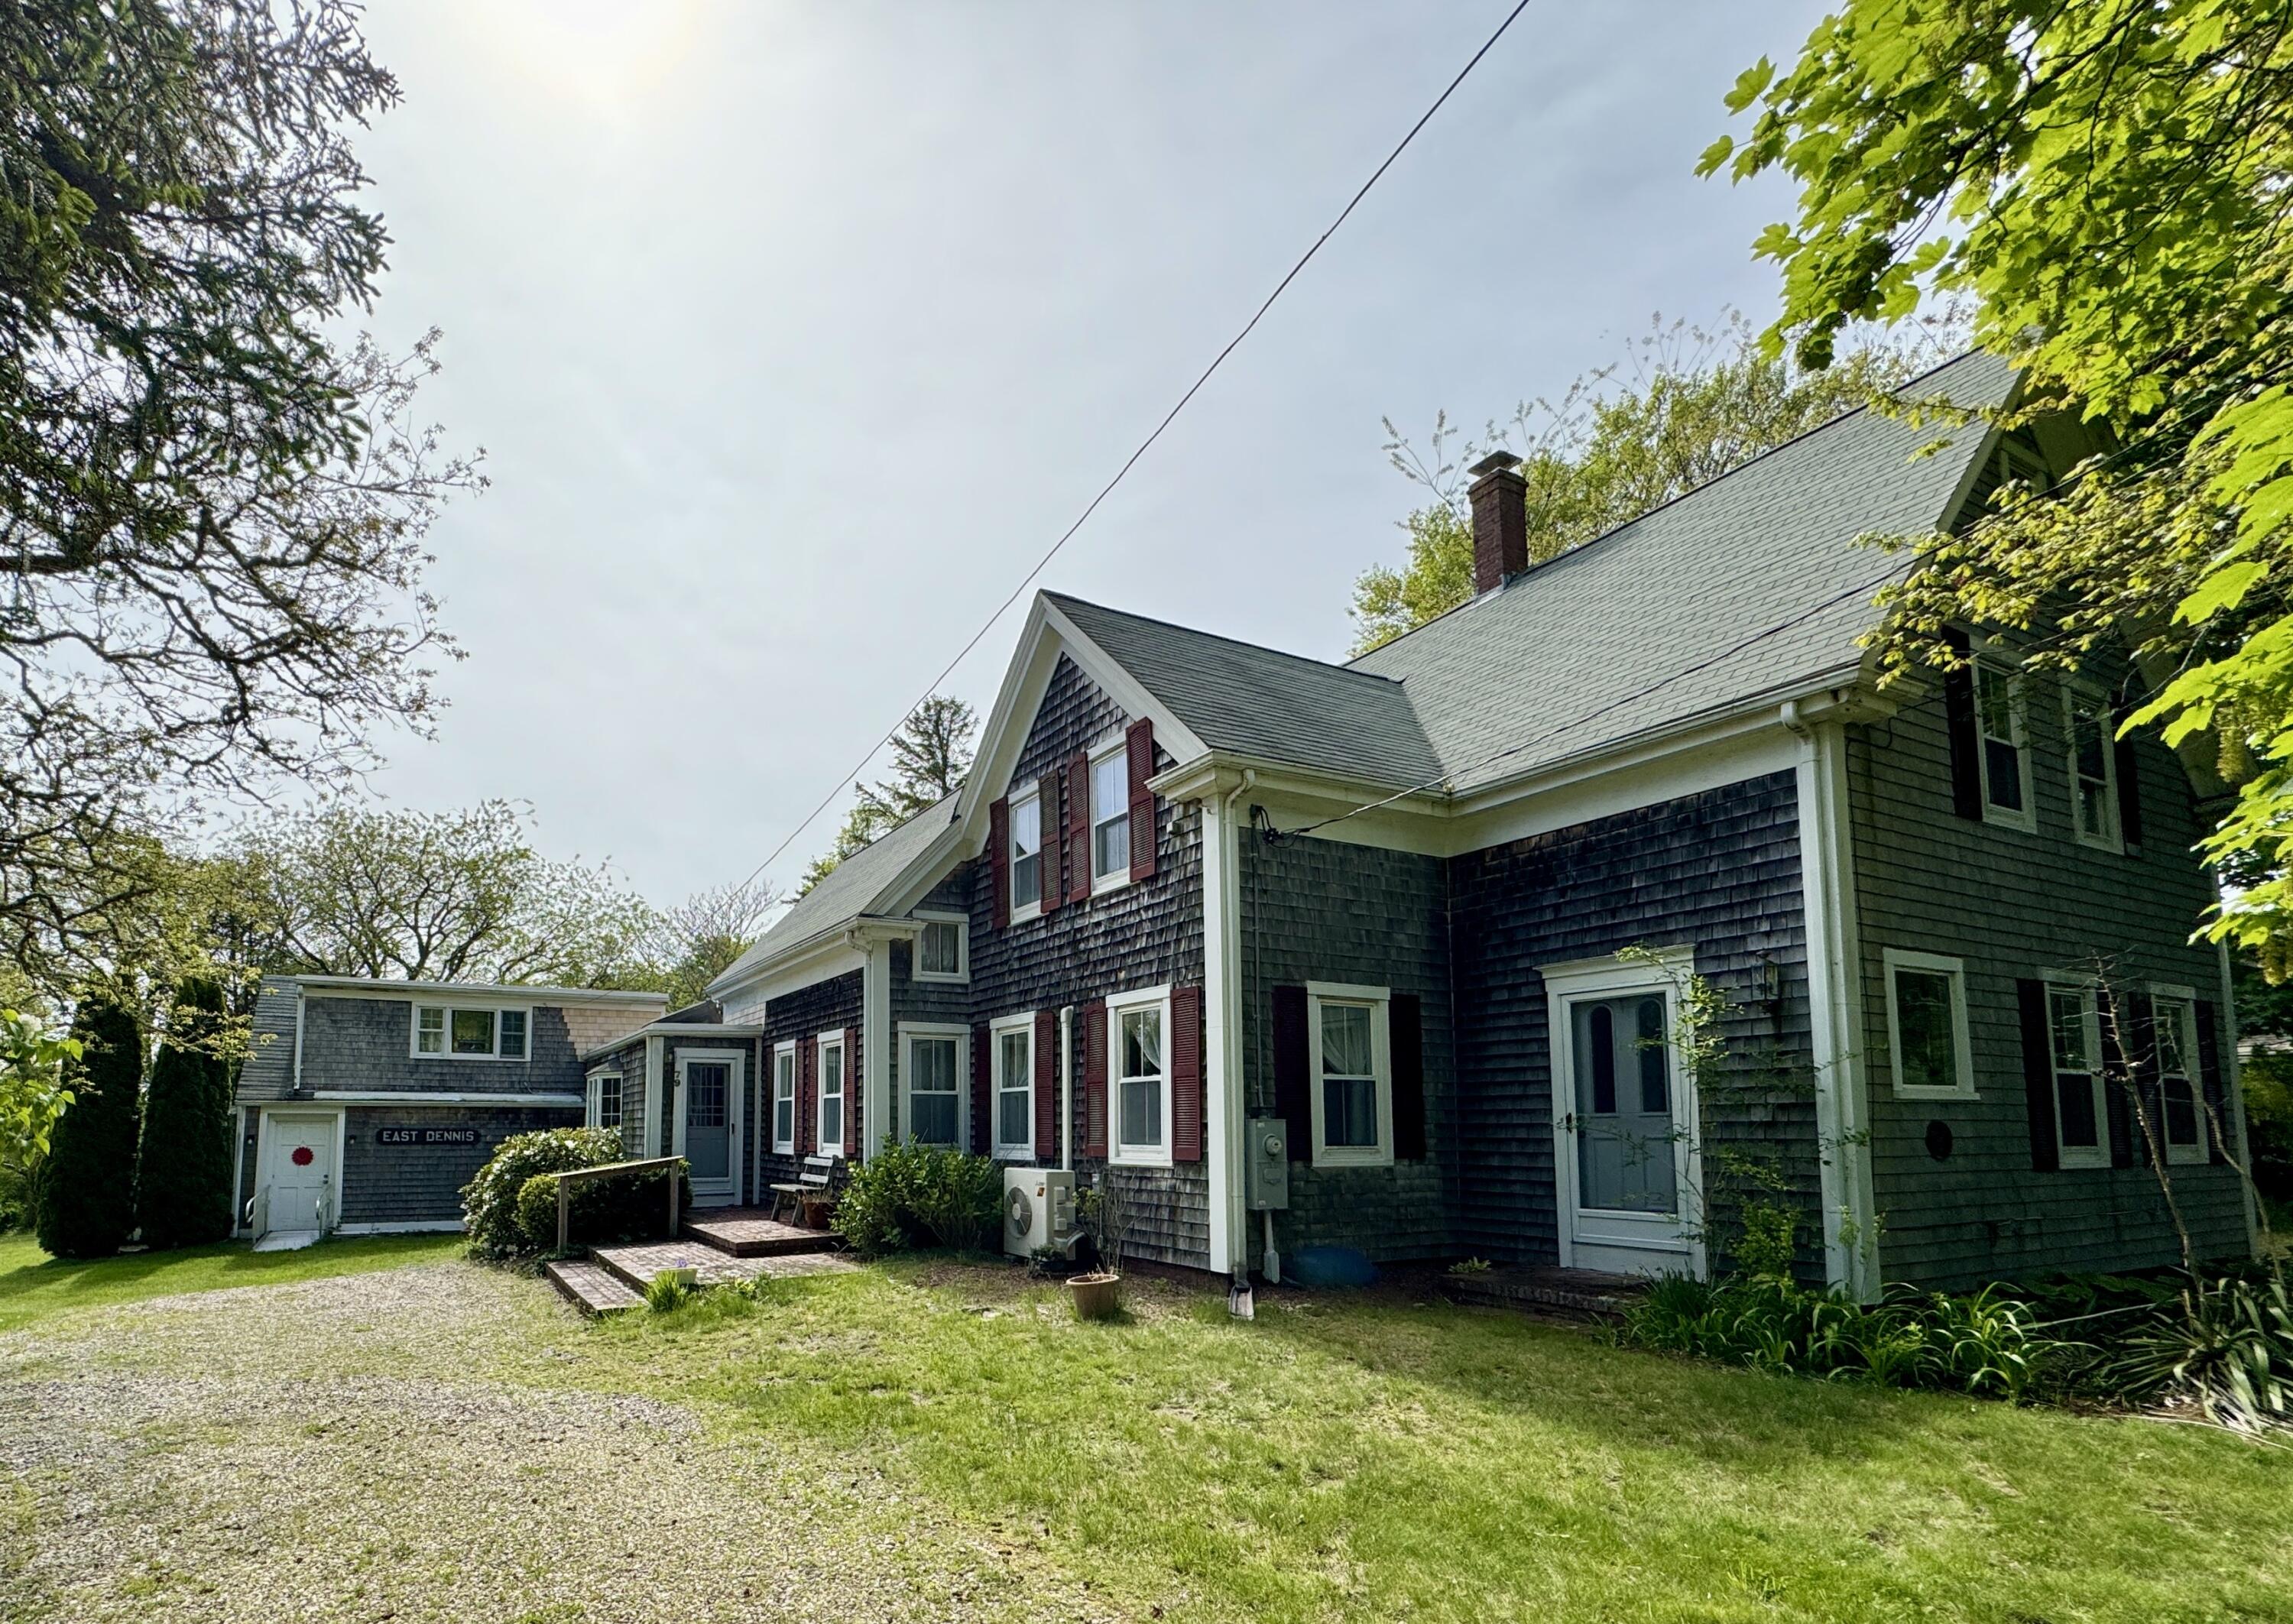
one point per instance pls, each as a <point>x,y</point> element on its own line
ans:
<point>212,503</point>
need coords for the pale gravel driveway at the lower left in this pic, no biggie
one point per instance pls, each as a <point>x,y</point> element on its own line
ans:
<point>389,1446</point>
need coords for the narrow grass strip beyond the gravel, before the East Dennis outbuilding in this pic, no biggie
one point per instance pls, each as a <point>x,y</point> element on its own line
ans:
<point>36,1286</point>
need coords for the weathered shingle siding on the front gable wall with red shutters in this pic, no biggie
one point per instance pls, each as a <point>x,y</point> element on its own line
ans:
<point>1145,935</point>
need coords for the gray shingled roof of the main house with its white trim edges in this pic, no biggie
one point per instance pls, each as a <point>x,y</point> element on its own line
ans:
<point>1746,586</point>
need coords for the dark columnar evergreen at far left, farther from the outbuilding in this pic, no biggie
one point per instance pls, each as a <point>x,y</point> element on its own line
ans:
<point>86,1201</point>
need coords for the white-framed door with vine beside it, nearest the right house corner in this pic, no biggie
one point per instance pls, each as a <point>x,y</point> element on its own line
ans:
<point>1625,1121</point>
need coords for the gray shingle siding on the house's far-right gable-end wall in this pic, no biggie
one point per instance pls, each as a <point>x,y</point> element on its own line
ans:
<point>2014,905</point>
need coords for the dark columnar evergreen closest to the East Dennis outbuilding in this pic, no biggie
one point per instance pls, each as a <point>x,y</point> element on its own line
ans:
<point>185,1173</point>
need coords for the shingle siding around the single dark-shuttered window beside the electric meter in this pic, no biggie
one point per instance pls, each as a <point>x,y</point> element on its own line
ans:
<point>1329,912</point>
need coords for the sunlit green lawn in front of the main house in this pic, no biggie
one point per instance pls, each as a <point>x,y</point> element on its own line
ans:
<point>1377,1458</point>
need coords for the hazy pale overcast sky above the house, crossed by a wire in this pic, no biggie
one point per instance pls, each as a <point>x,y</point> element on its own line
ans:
<point>795,334</point>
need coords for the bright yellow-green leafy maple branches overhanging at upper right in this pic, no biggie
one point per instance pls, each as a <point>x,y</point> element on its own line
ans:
<point>2111,185</point>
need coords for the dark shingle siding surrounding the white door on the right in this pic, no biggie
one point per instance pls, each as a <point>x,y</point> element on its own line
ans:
<point>1719,870</point>
